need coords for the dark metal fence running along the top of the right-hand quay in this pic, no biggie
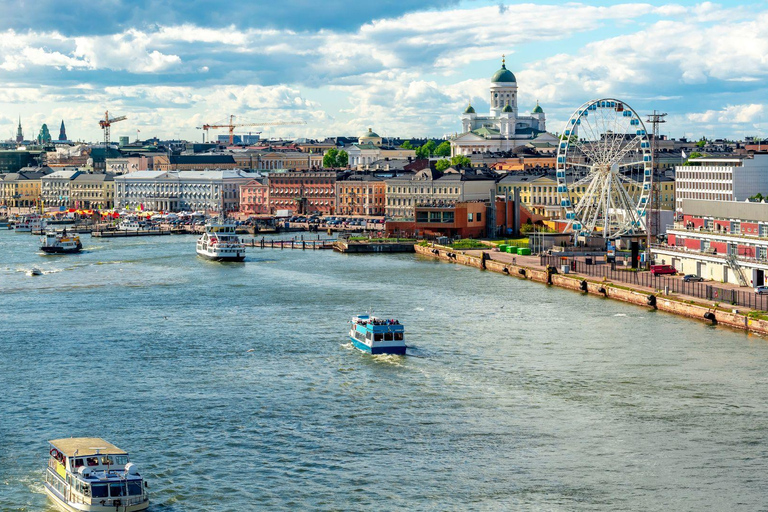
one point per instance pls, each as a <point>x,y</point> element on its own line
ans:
<point>702,290</point>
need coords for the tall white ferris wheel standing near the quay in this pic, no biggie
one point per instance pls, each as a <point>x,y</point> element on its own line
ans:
<point>604,170</point>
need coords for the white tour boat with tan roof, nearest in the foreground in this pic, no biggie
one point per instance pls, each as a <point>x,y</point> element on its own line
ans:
<point>90,474</point>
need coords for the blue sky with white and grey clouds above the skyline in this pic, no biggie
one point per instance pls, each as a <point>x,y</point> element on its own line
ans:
<point>405,69</point>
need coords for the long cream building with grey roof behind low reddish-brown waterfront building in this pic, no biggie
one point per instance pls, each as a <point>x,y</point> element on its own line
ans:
<point>405,191</point>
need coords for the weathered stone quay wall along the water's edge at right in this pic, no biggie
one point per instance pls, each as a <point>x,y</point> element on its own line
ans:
<point>607,290</point>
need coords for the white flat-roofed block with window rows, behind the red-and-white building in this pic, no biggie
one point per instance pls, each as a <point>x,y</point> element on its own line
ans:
<point>725,178</point>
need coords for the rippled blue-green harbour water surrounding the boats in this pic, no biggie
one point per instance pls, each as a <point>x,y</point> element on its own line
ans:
<point>233,386</point>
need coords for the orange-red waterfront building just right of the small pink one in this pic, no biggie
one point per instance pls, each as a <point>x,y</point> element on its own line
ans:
<point>303,191</point>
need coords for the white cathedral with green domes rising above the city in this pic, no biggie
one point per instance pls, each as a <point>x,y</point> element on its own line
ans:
<point>503,128</point>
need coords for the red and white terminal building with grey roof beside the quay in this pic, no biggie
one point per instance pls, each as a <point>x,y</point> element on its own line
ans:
<point>726,241</point>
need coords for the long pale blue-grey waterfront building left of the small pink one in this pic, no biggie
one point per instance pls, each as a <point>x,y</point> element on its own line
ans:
<point>181,190</point>
